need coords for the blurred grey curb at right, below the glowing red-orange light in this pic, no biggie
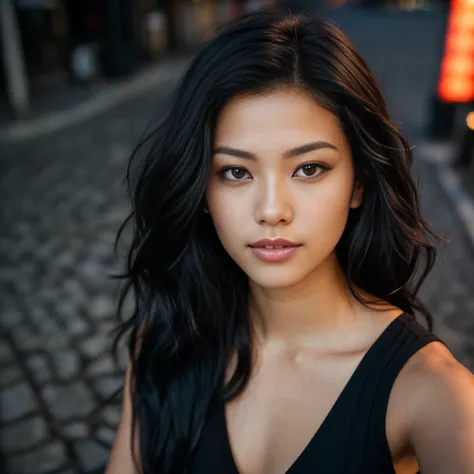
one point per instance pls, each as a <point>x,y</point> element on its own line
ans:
<point>440,156</point>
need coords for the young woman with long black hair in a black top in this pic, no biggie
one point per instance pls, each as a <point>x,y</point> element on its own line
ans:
<point>277,253</point>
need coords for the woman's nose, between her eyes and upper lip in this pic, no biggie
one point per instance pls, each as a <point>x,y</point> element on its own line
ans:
<point>274,204</point>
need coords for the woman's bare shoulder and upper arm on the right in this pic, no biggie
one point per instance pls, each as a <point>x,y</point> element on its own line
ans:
<point>437,396</point>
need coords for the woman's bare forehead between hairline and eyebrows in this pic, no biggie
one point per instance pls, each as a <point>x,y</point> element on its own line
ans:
<point>285,117</point>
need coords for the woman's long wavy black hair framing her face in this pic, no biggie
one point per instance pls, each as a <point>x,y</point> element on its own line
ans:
<point>190,313</point>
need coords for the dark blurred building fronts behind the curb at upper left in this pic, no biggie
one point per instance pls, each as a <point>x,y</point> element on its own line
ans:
<point>81,40</point>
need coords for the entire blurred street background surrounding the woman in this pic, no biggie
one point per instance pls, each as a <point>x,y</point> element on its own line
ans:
<point>81,80</point>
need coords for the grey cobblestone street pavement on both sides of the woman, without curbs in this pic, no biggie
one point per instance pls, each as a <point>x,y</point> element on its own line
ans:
<point>62,202</point>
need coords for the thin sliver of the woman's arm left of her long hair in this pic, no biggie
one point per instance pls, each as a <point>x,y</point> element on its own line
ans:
<point>121,461</point>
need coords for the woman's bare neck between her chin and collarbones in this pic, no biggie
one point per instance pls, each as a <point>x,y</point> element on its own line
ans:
<point>316,306</point>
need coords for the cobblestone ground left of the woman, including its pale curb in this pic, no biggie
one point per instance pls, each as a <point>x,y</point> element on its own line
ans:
<point>61,185</point>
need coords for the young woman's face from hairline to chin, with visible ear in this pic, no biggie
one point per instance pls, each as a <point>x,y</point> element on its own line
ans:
<point>281,169</point>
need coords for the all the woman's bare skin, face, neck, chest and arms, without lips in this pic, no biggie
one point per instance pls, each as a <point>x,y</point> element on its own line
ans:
<point>308,329</point>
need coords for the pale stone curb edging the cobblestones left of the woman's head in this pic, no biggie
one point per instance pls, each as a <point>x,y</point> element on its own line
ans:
<point>163,73</point>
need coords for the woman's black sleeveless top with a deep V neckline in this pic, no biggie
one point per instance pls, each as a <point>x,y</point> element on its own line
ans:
<point>352,438</point>
